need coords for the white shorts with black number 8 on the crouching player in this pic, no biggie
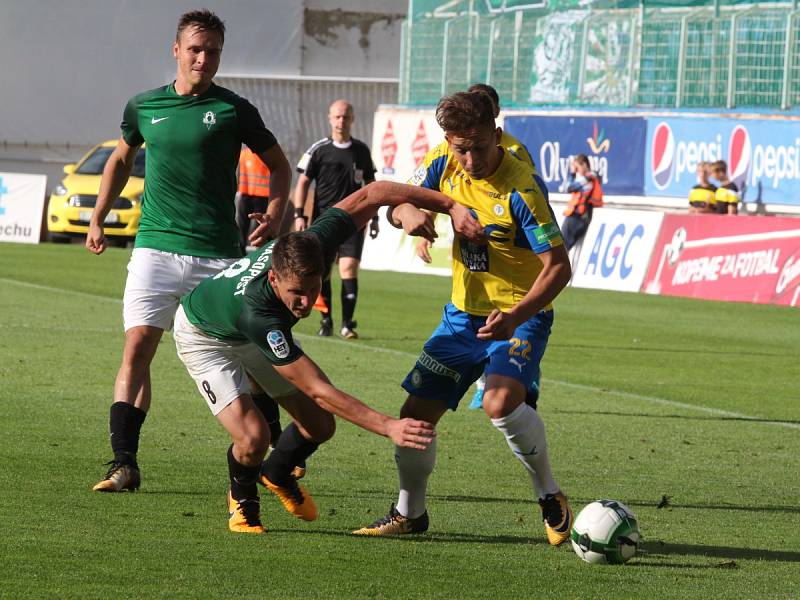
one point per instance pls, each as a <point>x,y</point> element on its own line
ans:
<point>220,368</point>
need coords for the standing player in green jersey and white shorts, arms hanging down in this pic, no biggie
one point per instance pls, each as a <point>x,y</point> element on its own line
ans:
<point>194,130</point>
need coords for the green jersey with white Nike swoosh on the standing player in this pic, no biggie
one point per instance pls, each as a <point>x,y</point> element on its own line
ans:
<point>193,147</point>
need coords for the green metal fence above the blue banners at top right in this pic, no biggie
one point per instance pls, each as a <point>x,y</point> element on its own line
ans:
<point>581,53</point>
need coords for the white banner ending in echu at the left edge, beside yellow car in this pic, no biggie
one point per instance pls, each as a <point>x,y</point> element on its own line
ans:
<point>21,207</point>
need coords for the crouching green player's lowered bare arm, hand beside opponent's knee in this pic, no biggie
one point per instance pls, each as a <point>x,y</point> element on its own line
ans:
<point>309,379</point>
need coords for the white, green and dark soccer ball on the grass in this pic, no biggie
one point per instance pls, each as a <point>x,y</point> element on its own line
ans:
<point>605,532</point>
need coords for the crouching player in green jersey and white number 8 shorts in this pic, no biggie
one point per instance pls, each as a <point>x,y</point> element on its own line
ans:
<point>240,320</point>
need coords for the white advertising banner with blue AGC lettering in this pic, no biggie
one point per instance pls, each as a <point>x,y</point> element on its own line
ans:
<point>616,250</point>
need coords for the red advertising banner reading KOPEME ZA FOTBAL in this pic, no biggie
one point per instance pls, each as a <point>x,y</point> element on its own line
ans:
<point>735,258</point>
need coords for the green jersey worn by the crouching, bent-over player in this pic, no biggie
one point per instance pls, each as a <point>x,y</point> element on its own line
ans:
<point>239,304</point>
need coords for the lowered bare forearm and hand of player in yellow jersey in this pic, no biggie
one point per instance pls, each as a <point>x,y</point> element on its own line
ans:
<point>555,275</point>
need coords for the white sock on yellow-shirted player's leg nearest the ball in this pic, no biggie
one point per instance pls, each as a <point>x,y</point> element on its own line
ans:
<point>524,431</point>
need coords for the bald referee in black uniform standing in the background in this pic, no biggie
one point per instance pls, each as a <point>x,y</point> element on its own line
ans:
<point>338,165</point>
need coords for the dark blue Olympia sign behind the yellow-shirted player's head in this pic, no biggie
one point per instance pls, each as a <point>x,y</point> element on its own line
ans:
<point>615,147</point>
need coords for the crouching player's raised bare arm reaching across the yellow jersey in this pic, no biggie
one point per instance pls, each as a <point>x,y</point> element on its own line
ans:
<point>362,206</point>
